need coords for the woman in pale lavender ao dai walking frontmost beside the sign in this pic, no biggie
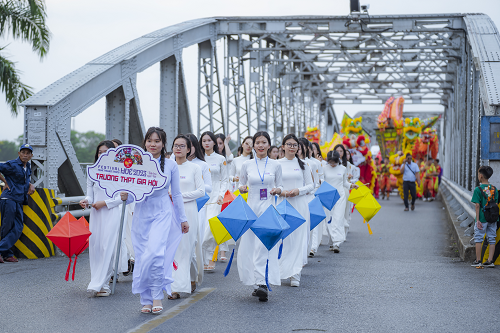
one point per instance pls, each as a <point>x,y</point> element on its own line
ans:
<point>157,229</point>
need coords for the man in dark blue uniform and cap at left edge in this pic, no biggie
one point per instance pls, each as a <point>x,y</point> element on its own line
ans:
<point>16,176</point>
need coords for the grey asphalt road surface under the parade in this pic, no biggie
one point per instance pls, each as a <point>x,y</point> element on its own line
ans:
<point>404,277</point>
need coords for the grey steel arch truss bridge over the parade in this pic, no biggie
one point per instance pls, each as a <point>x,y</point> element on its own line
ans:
<point>282,74</point>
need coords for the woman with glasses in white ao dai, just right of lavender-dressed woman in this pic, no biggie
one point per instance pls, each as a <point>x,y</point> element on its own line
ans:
<point>192,188</point>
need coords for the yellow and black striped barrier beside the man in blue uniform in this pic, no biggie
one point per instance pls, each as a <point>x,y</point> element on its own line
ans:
<point>37,223</point>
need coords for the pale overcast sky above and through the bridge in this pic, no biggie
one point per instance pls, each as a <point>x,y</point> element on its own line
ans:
<point>84,30</point>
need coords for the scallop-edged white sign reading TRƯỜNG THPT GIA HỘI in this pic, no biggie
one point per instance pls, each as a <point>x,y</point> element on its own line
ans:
<point>127,168</point>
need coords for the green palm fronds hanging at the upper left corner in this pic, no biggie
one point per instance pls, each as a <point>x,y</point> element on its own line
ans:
<point>25,21</point>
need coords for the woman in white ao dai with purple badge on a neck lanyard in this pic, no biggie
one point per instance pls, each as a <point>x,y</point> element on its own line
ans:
<point>261,177</point>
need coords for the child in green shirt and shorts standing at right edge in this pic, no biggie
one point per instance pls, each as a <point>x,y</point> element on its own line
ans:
<point>484,194</point>
